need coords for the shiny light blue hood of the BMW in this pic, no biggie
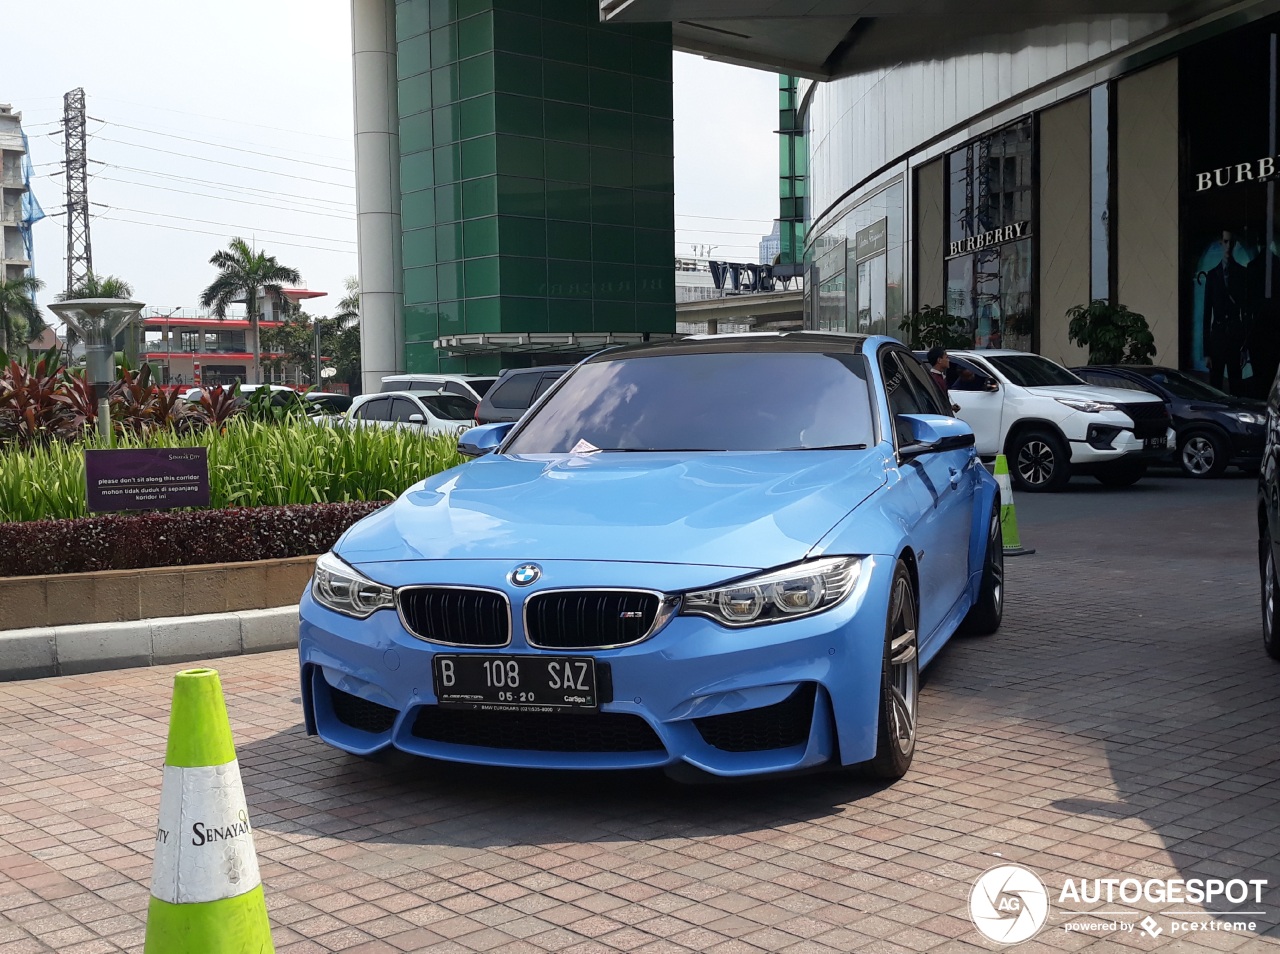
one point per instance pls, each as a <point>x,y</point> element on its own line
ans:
<point>735,510</point>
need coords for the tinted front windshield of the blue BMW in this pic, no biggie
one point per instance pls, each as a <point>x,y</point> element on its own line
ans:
<point>712,401</point>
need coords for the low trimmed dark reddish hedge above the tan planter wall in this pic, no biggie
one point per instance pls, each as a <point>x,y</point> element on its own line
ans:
<point>180,538</point>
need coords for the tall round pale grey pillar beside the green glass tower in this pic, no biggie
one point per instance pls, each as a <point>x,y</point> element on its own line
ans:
<point>378,221</point>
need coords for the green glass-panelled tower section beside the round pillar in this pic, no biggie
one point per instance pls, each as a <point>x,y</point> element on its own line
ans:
<point>537,174</point>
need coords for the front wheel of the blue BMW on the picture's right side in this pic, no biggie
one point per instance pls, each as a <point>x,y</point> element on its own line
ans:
<point>900,682</point>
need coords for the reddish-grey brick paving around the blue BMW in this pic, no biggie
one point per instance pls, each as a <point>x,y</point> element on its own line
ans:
<point>1124,722</point>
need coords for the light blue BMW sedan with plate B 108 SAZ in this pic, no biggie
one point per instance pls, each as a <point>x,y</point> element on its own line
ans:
<point>666,565</point>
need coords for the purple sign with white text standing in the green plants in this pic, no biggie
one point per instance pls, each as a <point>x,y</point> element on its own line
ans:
<point>147,480</point>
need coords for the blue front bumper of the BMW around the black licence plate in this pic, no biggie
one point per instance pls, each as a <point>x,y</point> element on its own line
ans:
<point>732,702</point>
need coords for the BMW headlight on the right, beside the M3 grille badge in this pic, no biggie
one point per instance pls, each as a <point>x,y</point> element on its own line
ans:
<point>778,595</point>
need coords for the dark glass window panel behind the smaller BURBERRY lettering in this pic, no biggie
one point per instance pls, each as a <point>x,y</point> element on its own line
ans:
<point>990,266</point>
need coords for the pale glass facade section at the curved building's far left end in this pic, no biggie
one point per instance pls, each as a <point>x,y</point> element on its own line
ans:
<point>858,267</point>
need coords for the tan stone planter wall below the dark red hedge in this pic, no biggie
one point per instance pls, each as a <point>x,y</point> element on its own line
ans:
<point>120,596</point>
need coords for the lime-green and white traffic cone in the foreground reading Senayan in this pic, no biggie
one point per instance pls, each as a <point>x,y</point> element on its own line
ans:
<point>207,894</point>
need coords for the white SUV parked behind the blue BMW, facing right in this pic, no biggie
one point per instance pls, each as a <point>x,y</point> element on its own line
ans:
<point>1050,424</point>
